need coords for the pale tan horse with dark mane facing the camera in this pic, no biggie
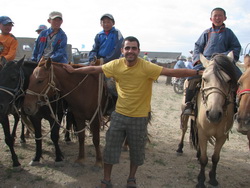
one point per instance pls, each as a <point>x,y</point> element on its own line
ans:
<point>215,111</point>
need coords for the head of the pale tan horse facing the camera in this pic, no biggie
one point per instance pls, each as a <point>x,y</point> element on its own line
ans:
<point>218,84</point>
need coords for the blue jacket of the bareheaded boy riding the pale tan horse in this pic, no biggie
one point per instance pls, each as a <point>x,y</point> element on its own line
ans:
<point>221,40</point>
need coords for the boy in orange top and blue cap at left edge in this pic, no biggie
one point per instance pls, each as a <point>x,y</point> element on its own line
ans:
<point>8,42</point>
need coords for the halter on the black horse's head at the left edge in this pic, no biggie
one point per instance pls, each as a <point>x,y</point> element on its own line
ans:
<point>17,92</point>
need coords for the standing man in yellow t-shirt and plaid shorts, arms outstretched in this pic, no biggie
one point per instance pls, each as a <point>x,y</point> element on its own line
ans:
<point>134,77</point>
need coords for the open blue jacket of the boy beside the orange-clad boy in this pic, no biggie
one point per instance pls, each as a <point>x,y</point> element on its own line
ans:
<point>59,53</point>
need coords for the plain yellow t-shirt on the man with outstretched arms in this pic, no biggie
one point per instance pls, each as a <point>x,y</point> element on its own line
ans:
<point>134,85</point>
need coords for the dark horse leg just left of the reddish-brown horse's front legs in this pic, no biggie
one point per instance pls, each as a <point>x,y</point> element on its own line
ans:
<point>55,138</point>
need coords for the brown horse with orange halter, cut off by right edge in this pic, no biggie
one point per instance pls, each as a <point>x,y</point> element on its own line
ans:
<point>243,115</point>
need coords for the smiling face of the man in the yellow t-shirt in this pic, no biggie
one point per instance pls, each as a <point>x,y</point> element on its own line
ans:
<point>130,51</point>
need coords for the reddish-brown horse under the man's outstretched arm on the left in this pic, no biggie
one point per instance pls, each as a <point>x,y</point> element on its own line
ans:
<point>82,92</point>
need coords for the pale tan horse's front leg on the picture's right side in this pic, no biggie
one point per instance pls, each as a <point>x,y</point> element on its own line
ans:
<point>215,159</point>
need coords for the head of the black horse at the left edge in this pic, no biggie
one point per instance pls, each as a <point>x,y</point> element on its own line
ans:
<point>11,84</point>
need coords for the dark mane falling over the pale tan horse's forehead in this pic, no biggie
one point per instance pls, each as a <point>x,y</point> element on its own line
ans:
<point>222,62</point>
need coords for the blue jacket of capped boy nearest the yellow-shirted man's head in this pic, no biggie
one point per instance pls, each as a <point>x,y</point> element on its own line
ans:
<point>107,46</point>
